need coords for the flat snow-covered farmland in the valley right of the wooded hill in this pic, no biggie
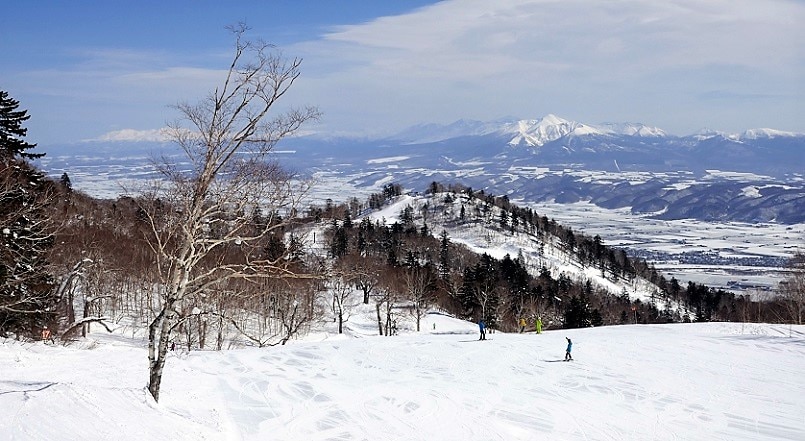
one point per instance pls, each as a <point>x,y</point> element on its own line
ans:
<point>726,239</point>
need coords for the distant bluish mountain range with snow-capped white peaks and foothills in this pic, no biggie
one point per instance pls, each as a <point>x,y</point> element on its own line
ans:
<point>755,176</point>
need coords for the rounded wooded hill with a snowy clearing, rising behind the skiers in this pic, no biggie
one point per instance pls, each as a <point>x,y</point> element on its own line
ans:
<point>483,256</point>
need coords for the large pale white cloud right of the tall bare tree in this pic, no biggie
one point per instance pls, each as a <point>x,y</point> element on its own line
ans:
<point>596,61</point>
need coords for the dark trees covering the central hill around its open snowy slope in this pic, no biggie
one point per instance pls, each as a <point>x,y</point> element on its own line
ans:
<point>501,290</point>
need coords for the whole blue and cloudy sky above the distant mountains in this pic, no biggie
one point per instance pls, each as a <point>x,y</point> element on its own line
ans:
<point>109,70</point>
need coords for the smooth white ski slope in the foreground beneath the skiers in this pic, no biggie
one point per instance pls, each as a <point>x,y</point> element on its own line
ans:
<point>672,382</point>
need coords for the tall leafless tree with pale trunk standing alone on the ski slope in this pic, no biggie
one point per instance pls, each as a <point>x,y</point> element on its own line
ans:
<point>200,221</point>
